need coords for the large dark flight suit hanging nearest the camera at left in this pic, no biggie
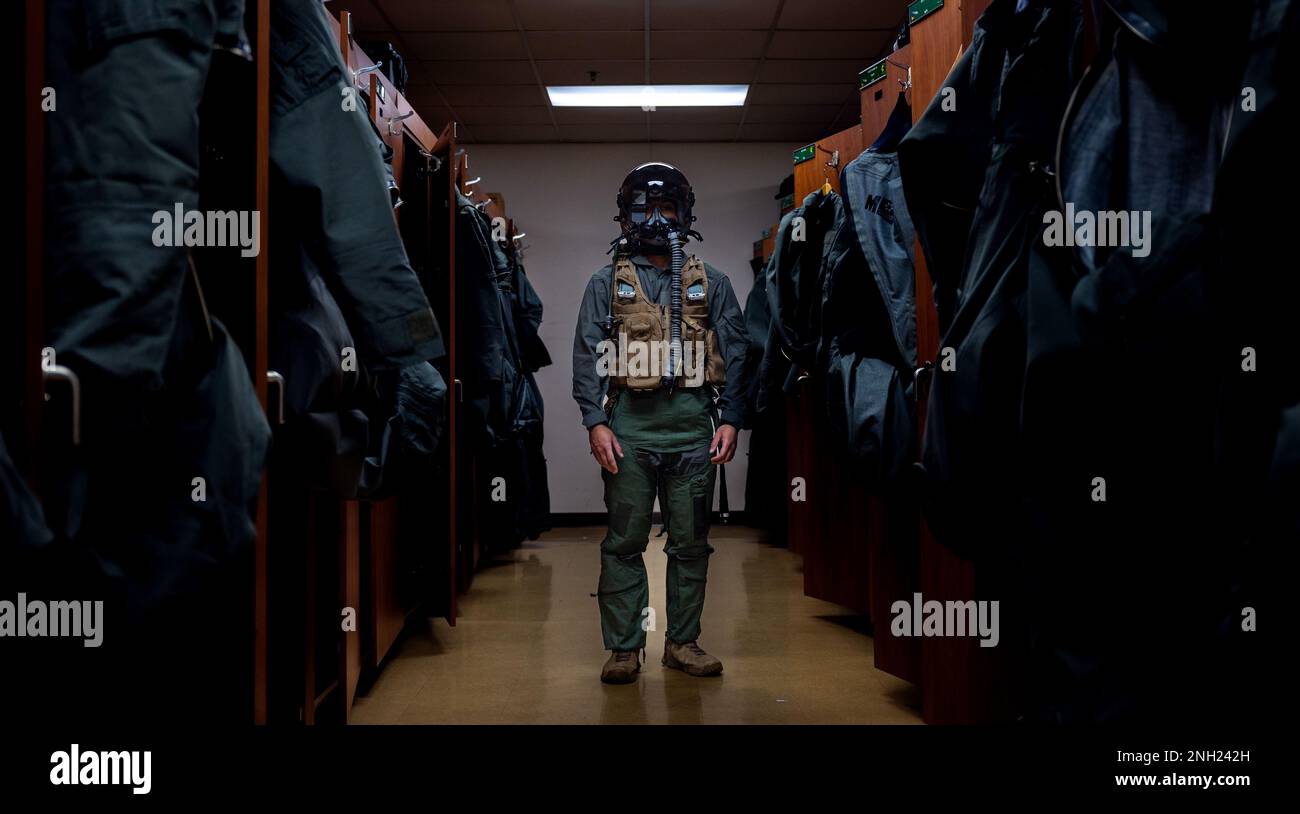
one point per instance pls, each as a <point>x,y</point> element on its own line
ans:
<point>166,396</point>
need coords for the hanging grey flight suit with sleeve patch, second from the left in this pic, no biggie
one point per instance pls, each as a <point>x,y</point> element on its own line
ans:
<point>348,282</point>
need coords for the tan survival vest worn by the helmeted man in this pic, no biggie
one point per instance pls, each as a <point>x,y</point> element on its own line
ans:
<point>645,328</point>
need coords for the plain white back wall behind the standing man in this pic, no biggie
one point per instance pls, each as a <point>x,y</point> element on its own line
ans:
<point>564,197</point>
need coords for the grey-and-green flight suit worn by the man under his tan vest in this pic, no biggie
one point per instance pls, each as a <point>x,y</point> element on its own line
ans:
<point>666,454</point>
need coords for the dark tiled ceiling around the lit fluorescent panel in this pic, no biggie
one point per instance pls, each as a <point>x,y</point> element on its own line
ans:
<point>471,57</point>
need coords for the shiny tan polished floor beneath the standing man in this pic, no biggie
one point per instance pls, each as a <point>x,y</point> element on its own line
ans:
<point>527,650</point>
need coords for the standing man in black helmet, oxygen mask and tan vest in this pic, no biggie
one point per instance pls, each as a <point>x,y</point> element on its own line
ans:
<point>662,336</point>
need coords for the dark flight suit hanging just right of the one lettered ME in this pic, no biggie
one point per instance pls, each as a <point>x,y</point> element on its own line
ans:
<point>977,181</point>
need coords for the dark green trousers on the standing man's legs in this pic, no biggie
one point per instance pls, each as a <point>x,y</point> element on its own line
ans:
<point>686,484</point>
